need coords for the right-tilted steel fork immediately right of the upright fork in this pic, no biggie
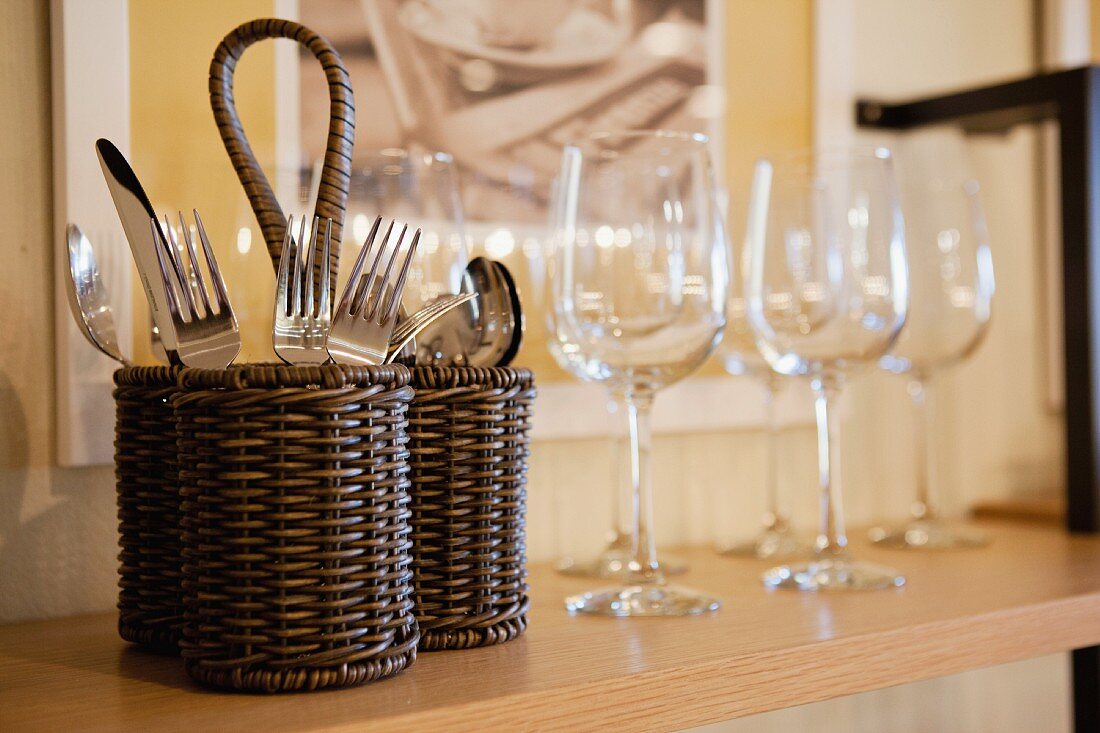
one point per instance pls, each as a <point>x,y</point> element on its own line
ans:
<point>368,312</point>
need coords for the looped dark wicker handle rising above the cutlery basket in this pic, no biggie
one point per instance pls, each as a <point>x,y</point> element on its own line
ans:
<point>336,174</point>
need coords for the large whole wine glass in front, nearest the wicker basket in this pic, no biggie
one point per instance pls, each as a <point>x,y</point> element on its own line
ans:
<point>639,281</point>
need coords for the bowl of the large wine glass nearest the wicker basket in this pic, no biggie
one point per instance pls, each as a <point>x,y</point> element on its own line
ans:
<point>637,313</point>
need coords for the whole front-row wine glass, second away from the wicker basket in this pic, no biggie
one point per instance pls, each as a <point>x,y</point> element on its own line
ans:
<point>828,294</point>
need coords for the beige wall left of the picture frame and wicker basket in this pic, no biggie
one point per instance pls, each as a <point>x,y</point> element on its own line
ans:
<point>58,527</point>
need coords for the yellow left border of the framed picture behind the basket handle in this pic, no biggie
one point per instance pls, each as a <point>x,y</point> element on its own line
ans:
<point>179,154</point>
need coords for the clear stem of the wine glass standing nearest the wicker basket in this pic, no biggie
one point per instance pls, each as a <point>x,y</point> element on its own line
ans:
<point>644,568</point>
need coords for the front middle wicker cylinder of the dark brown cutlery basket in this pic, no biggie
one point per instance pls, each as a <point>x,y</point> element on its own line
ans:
<point>295,526</point>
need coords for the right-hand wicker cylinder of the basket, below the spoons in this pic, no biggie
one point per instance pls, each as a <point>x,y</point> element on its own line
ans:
<point>469,448</point>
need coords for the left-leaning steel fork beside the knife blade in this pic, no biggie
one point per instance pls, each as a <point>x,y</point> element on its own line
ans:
<point>207,337</point>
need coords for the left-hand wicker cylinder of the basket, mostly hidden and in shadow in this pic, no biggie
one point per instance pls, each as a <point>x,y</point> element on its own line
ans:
<point>151,610</point>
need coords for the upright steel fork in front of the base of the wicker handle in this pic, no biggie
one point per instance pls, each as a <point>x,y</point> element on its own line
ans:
<point>303,322</point>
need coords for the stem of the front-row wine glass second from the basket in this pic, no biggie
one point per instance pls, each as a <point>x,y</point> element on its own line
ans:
<point>832,541</point>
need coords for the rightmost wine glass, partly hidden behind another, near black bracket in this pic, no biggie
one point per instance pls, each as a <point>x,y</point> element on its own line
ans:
<point>951,272</point>
